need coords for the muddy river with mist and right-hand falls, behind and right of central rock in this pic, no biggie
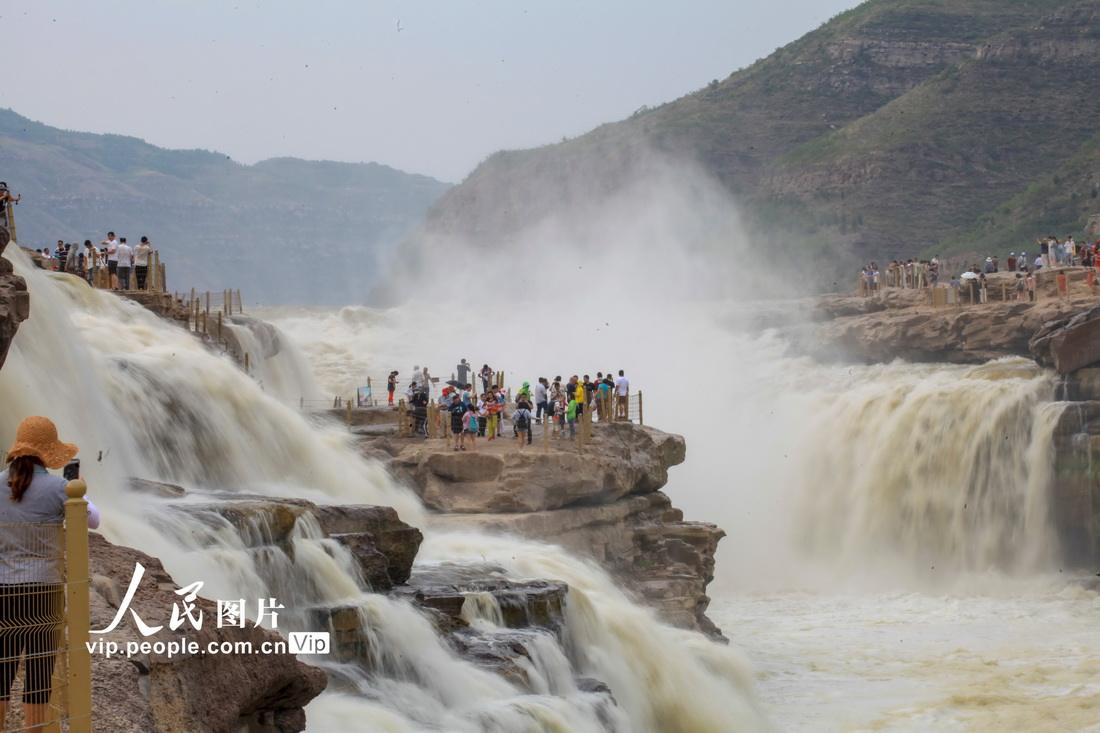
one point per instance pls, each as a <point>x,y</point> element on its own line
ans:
<point>890,564</point>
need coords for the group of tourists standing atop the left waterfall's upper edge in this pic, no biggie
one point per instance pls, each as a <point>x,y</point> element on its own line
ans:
<point>127,266</point>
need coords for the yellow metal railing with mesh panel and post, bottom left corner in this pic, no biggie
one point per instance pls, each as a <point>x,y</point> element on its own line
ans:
<point>45,622</point>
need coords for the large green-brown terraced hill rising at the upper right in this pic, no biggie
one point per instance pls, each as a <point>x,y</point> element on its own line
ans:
<point>898,128</point>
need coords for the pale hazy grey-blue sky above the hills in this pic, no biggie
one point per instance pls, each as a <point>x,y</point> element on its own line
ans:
<point>339,81</point>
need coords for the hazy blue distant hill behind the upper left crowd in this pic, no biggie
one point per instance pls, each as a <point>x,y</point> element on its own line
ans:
<point>283,231</point>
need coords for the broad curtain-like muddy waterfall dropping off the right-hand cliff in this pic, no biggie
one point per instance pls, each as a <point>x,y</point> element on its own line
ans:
<point>944,472</point>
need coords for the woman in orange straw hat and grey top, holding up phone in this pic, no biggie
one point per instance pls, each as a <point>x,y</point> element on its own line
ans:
<point>32,594</point>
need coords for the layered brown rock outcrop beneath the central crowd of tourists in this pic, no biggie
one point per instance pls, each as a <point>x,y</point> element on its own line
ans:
<point>603,502</point>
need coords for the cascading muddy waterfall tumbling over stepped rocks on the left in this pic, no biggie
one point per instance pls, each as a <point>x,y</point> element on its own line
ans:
<point>146,399</point>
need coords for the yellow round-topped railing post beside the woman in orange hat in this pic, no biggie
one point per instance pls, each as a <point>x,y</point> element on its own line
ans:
<point>79,615</point>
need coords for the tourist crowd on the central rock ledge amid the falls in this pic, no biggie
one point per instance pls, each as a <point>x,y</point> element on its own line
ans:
<point>468,413</point>
